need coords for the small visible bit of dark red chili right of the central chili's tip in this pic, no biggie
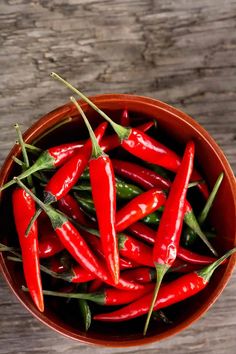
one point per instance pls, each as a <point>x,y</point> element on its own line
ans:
<point>141,275</point>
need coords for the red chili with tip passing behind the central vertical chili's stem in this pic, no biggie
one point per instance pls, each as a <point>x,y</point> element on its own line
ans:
<point>66,177</point>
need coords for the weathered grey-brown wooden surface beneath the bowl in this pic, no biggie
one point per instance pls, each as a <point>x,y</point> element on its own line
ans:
<point>182,52</point>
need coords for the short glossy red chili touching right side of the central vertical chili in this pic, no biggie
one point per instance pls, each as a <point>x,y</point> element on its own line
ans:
<point>139,207</point>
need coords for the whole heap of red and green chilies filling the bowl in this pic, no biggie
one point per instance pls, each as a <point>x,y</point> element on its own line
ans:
<point>120,229</point>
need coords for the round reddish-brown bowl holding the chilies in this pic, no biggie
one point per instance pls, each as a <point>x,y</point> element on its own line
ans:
<point>175,128</point>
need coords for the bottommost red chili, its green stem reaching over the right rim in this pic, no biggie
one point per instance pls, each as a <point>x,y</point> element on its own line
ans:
<point>169,294</point>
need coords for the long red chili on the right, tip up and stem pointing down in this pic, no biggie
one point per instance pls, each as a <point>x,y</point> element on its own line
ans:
<point>170,227</point>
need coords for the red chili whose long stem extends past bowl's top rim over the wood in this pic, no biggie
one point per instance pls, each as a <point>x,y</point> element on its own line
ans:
<point>138,143</point>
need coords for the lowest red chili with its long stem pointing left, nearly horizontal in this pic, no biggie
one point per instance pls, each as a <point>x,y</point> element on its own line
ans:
<point>108,297</point>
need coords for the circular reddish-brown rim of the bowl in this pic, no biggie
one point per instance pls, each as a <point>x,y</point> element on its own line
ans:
<point>49,120</point>
